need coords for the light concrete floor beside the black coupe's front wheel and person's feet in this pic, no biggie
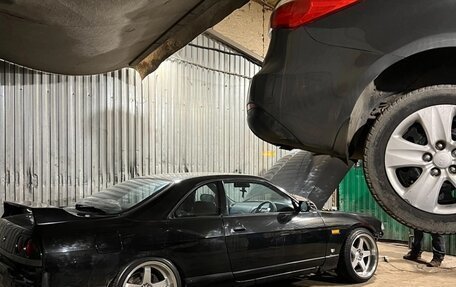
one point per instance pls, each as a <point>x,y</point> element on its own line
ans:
<point>396,272</point>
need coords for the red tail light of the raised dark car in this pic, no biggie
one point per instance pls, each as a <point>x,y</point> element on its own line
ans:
<point>295,13</point>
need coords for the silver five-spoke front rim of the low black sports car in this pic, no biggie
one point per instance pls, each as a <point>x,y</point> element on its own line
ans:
<point>363,255</point>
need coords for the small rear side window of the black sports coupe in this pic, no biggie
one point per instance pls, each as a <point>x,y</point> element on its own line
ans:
<point>201,202</point>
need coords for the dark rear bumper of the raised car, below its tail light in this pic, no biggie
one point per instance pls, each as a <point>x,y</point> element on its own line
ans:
<point>304,93</point>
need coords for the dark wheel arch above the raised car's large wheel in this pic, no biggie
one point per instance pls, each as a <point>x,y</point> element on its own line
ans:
<point>393,77</point>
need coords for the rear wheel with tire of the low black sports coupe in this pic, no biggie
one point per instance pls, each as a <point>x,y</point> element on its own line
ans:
<point>150,273</point>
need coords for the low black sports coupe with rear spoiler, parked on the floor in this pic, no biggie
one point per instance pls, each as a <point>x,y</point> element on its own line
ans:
<point>183,230</point>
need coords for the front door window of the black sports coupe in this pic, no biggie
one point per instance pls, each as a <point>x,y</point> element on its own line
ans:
<point>249,198</point>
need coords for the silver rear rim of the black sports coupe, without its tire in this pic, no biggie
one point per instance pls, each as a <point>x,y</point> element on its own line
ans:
<point>151,274</point>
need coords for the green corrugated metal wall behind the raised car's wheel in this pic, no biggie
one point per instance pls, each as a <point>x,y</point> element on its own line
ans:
<point>354,196</point>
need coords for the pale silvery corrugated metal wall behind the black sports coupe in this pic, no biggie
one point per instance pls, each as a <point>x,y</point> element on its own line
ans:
<point>64,137</point>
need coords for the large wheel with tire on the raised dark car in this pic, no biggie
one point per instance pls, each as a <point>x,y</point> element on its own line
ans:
<point>410,159</point>
